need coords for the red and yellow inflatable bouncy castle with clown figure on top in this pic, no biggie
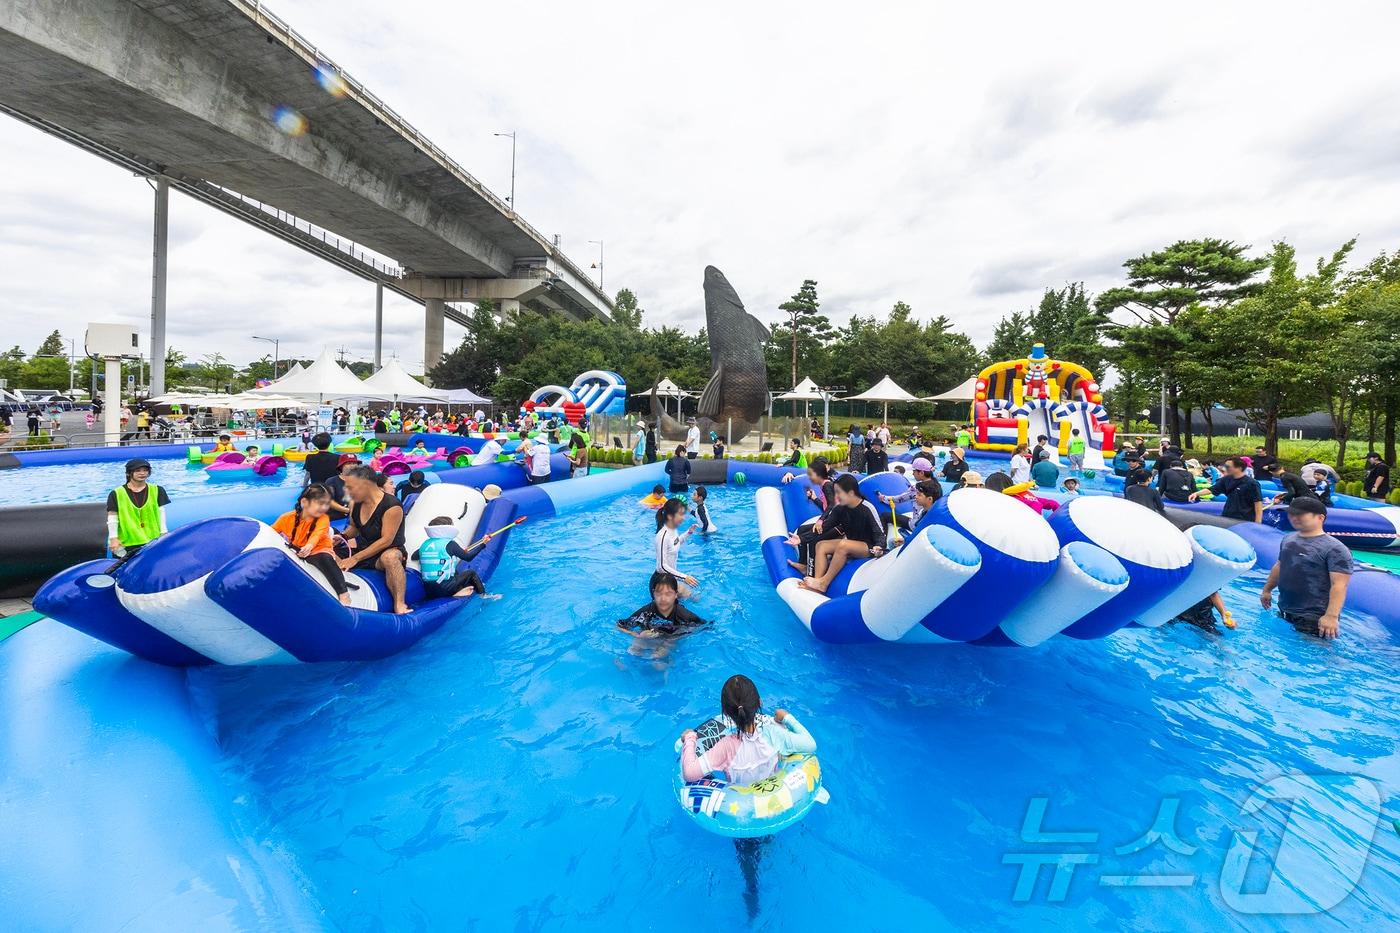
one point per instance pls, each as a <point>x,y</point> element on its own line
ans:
<point>1021,400</point>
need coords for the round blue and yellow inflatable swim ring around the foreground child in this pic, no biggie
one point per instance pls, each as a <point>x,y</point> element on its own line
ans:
<point>750,810</point>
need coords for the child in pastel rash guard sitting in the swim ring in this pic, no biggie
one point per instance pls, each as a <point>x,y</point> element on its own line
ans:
<point>758,745</point>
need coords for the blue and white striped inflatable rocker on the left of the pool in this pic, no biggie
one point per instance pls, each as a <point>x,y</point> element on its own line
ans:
<point>229,590</point>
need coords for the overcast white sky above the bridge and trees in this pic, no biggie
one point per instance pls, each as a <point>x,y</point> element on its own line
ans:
<point>960,158</point>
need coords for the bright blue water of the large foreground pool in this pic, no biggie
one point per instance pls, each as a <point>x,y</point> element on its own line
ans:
<point>514,770</point>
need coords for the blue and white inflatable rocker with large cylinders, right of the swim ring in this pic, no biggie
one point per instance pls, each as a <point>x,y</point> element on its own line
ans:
<point>982,568</point>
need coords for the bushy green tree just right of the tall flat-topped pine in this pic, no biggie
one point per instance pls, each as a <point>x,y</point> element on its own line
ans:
<point>1273,340</point>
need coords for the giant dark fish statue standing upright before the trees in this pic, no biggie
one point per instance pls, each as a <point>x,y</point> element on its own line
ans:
<point>737,396</point>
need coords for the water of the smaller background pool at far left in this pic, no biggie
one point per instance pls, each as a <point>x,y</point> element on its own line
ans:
<point>92,483</point>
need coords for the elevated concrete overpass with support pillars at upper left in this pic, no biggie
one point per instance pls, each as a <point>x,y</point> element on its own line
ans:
<point>190,93</point>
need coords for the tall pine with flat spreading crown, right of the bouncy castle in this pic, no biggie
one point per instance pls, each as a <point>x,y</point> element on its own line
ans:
<point>1163,285</point>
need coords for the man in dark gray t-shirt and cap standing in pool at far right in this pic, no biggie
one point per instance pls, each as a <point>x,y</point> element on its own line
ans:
<point>1312,572</point>
